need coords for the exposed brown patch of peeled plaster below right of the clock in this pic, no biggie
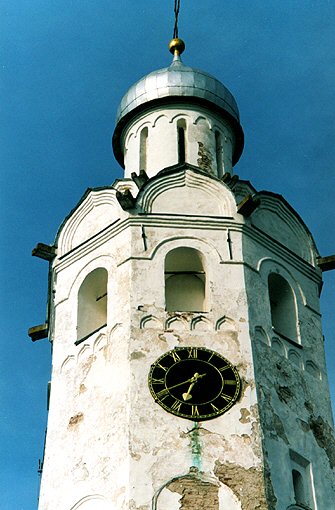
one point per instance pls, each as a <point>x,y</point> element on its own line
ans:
<point>247,485</point>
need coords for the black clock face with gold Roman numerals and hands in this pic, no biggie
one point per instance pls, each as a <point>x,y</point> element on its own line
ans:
<point>194,383</point>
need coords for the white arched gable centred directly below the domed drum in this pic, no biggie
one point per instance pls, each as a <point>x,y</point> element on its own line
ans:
<point>212,196</point>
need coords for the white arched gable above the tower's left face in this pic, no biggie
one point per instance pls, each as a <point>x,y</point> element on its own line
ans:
<point>97,210</point>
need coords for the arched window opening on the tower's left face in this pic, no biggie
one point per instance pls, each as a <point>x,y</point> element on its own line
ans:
<point>92,303</point>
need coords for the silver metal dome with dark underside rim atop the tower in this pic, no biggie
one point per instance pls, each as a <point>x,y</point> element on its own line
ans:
<point>173,85</point>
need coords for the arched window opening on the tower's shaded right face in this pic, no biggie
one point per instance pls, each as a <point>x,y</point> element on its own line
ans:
<point>283,307</point>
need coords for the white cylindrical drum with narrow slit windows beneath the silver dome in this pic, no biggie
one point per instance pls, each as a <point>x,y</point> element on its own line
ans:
<point>162,148</point>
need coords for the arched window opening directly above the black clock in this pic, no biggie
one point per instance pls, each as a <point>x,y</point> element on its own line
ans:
<point>185,281</point>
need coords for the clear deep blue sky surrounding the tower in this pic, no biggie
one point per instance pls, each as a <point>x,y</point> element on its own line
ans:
<point>64,67</point>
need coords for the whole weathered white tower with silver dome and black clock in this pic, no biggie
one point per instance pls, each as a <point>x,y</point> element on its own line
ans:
<point>162,288</point>
